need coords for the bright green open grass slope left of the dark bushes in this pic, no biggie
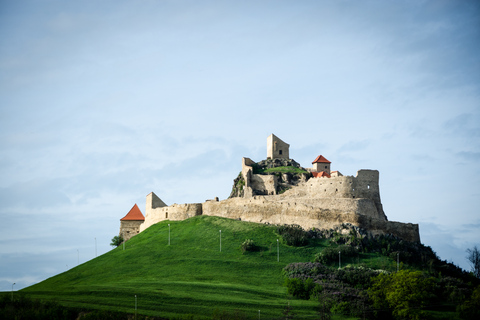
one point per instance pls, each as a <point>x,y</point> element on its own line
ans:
<point>191,276</point>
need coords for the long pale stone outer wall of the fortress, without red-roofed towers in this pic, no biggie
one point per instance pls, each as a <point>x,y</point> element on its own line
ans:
<point>321,203</point>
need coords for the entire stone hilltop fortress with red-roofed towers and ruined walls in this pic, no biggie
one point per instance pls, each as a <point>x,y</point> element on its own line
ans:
<point>279,191</point>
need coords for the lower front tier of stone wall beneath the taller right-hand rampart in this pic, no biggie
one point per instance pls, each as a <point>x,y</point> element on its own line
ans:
<point>313,213</point>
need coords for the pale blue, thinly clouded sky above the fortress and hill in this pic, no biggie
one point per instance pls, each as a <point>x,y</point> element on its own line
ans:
<point>103,102</point>
